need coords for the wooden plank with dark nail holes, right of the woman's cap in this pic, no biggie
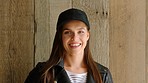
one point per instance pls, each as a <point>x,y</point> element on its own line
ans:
<point>97,11</point>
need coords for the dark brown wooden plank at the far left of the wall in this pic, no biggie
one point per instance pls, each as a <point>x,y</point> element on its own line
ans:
<point>16,40</point>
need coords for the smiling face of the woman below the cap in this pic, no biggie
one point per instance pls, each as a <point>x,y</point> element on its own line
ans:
<point>75,36</point>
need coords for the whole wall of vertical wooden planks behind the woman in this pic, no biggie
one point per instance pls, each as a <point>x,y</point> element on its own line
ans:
<point>118,36</point>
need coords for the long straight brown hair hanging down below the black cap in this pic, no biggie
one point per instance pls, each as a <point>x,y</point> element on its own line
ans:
<point>57,54</point>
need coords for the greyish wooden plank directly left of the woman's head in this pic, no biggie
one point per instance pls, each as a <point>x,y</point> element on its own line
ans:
<point>46,14</point>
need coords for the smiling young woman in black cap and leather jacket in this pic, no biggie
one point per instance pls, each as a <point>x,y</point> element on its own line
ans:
<point>70,60</point>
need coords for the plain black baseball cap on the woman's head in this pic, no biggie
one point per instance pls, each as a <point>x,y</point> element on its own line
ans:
<point>72,14</point>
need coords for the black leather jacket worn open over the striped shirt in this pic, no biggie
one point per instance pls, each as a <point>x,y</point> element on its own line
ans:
<point>62,77</point>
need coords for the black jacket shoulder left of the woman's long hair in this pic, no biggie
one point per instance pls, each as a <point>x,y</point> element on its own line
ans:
<point>35,73</point>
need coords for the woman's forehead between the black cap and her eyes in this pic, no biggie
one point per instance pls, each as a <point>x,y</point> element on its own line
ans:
<point>75,24</point>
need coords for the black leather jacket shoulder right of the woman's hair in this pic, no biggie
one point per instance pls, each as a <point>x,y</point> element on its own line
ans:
<point>105,73</point>
